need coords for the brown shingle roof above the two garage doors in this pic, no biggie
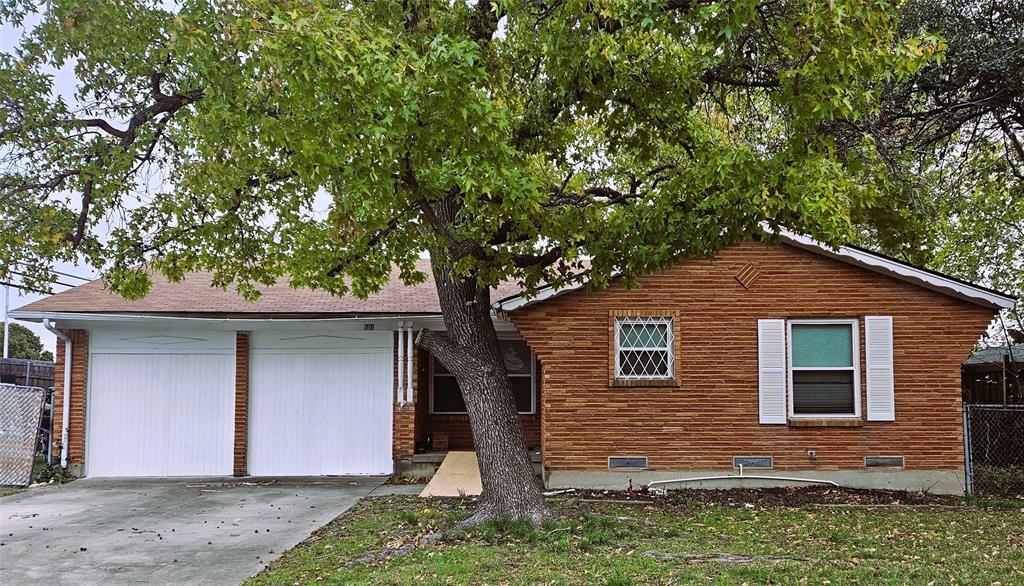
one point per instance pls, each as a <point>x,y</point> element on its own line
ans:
<point>195,296</point>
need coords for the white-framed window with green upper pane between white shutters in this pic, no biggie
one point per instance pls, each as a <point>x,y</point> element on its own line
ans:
<point>823,369</point>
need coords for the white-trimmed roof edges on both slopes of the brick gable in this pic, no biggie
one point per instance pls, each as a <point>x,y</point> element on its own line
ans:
<point>849,255</point>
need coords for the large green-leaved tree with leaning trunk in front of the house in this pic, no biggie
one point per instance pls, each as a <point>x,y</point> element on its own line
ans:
<point>519,140</point>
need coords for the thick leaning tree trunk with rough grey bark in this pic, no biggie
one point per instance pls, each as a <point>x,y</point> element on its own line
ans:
<point>471,353</point>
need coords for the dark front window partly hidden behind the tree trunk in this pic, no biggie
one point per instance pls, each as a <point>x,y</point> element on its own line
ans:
<point>447,397</point>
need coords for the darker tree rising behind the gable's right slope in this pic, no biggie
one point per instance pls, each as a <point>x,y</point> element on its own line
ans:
<point>955,133</point>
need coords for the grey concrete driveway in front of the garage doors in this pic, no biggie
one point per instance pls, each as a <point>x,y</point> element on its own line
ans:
<point>179,531</point>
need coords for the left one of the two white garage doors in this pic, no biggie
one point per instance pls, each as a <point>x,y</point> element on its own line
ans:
<point>159,414</point>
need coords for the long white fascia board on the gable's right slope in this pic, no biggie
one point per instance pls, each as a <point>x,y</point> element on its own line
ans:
<point>901,271</point>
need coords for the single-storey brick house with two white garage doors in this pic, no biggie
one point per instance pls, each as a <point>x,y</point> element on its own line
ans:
<point>784,358</point>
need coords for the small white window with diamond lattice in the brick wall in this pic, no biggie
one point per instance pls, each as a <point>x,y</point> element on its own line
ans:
<point>644,349</point>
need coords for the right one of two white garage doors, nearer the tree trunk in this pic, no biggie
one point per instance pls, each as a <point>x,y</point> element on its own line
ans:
<point>320,405</point>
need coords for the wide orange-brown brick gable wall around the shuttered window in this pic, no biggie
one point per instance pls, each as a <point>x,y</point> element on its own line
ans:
<point>712,414</point>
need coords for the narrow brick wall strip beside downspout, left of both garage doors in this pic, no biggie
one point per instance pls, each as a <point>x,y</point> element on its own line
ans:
<point>76,425</point>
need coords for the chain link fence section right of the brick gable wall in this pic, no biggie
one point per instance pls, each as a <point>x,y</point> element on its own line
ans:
<point>995,448</point>
